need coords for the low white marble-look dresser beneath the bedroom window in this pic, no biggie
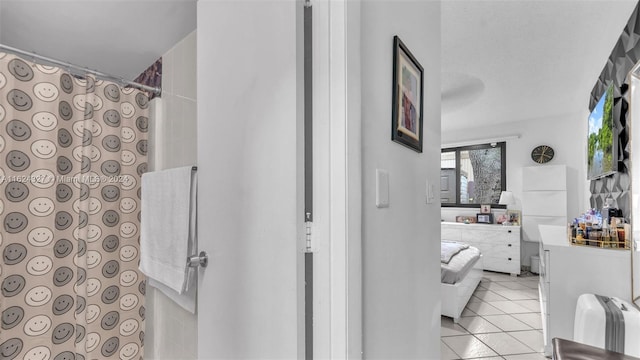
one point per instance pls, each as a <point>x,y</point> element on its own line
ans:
<point>500,245</point>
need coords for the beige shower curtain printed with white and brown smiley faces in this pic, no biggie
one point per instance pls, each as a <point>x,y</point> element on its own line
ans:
<point>72,151</point>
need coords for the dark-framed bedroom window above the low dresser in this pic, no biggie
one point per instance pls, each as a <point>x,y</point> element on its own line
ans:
<point>473,175</point>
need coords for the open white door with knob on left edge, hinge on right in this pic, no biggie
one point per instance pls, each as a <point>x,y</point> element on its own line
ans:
<point>248,210</point>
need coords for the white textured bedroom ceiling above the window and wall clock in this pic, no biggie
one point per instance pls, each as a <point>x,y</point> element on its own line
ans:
<point>509,61</point>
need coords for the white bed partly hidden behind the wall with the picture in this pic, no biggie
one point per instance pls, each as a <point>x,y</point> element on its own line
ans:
<point>460,273</point>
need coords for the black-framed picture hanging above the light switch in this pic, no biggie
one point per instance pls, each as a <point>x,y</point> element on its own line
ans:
<point>407,104</point>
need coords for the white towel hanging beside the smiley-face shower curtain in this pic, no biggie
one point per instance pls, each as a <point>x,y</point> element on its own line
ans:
<point>167,234</point>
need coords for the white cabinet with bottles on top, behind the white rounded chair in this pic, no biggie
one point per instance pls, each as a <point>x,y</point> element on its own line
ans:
<point>568,271</point>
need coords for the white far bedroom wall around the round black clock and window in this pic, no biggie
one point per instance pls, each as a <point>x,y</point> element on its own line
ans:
<point>566,134</point>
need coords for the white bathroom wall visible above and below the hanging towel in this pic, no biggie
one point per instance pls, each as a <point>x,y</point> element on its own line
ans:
<point>171,332</point>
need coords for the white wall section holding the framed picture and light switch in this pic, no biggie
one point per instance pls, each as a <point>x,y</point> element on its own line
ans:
<point>401,275</point>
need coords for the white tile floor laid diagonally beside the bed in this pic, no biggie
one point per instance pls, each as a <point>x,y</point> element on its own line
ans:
<point>501,321</point>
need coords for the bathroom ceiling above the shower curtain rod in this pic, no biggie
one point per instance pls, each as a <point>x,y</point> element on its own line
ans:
<point>118,37</point>
